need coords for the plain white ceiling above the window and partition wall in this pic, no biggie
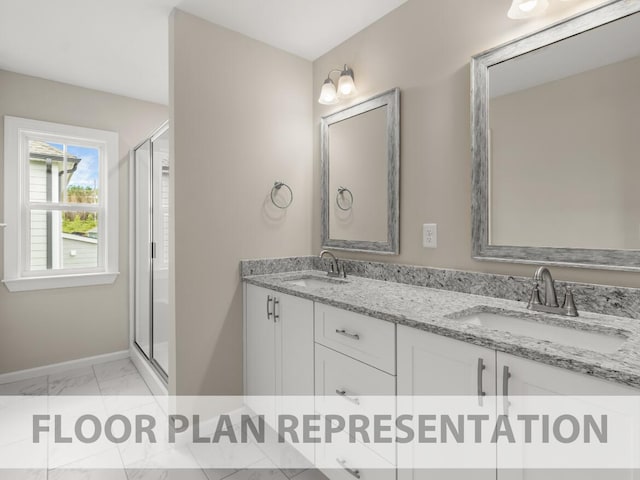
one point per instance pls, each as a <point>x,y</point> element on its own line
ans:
<point>121,46</point>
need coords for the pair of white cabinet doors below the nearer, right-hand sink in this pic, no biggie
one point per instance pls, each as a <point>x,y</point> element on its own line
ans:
<point>430,364</point>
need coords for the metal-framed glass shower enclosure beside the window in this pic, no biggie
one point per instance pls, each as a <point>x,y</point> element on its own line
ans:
<point>150,249</point>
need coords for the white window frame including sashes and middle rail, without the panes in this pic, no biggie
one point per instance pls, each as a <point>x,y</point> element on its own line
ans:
<point>18,205</point>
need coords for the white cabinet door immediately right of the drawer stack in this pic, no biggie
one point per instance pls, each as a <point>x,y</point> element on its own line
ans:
<point>432,365</point>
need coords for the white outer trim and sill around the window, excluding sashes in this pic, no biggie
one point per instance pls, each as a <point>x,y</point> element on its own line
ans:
<point>15,130</point>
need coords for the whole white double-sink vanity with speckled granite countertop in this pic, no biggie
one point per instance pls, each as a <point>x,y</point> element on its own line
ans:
<point>308,333</point>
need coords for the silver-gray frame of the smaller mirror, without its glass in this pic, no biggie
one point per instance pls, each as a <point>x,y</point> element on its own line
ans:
<point>391,100</point>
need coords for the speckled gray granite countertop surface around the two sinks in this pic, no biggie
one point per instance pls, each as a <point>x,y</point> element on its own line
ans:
<point>438,311</point>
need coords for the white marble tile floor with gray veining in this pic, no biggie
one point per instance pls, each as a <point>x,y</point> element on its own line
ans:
<point>121,377</point>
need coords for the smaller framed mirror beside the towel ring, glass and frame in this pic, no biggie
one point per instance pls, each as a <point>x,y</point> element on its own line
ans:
<point>360,155</point>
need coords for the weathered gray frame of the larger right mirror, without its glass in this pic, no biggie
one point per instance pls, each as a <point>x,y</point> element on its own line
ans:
<point>480,64</point>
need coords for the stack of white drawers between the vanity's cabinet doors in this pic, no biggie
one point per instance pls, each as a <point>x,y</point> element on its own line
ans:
<point>355,358</point>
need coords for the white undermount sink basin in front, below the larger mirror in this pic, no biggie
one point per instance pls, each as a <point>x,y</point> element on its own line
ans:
<point>589,340</point>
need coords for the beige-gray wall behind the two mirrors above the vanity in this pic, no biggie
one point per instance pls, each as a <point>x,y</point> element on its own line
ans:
<point>424,47</point>
